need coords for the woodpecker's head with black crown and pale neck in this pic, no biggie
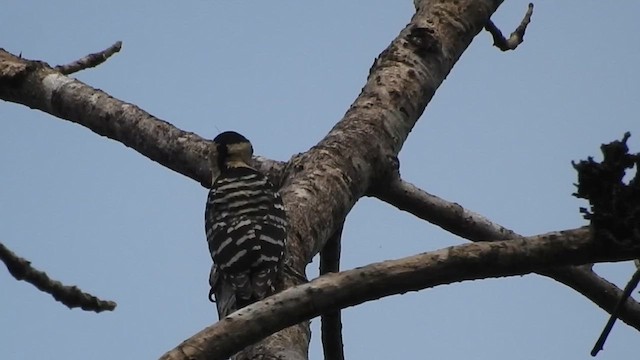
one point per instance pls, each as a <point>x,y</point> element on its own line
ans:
<point>233,150</point>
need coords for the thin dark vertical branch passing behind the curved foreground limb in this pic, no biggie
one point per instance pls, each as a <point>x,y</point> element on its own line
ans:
<point>331,328</point>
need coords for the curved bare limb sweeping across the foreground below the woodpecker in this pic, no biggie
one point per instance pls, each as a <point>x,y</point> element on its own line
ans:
<point>336,291</point>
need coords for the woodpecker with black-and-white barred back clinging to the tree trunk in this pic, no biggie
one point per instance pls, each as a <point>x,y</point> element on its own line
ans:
<point>245,222</point>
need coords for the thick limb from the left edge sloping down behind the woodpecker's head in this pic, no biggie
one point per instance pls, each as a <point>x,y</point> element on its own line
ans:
<point>38,86</point>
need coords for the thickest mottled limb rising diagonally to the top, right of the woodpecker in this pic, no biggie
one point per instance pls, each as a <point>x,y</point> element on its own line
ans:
<point>321,186</point>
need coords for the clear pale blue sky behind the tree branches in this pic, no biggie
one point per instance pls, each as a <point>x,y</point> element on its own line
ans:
<point>498,138</point>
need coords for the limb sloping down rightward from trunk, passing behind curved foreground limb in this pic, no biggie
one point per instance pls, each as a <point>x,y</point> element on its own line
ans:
<point>465,223</point>
